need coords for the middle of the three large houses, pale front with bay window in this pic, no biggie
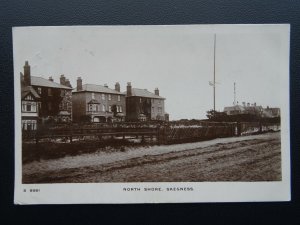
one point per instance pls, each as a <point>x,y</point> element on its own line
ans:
<point>97,103</point>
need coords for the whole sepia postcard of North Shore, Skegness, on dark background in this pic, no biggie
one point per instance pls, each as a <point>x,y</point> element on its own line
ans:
<point>151,111</point>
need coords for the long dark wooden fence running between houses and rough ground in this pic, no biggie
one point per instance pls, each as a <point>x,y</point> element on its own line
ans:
<point>166,133</point>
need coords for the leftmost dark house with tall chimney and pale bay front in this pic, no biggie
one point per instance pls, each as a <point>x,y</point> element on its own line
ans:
<point>50,101</point>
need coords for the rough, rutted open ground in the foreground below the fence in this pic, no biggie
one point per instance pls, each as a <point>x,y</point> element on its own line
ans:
<point>248,158</point>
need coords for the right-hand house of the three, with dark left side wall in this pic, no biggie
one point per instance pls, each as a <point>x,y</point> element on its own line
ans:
<point>143,105</point>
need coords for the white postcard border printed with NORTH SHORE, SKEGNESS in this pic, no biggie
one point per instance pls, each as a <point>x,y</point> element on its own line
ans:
<point>202,191</point>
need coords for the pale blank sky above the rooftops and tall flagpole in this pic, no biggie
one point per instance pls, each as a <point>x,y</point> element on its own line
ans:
<point>179,60</point>
